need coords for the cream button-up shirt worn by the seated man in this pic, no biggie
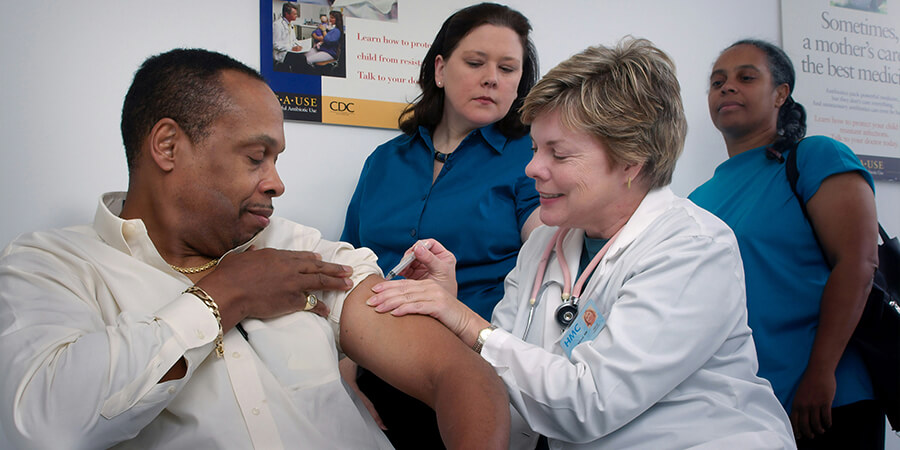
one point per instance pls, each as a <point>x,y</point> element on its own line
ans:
<point>92,317</point>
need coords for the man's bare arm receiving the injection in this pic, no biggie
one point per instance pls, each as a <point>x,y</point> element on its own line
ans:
<point>421,357</point>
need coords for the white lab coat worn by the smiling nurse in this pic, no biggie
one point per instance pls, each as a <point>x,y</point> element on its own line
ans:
<point>675,366</point>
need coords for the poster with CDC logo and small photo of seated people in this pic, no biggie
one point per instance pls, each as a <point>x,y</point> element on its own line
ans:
<point>348,62</point>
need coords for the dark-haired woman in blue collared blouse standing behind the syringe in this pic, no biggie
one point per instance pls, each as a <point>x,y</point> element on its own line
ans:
<point>457,175</point>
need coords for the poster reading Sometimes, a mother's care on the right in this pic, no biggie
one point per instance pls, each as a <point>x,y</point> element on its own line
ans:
<point>847,57</point>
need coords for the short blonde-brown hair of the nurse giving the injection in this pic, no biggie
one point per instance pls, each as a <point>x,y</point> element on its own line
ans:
<point>627,96</point>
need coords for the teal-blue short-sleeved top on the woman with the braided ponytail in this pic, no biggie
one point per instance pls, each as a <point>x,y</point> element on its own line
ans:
<point>784,269</point>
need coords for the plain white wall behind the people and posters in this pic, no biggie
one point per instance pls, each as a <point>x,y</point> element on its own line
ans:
<point>66,67</point>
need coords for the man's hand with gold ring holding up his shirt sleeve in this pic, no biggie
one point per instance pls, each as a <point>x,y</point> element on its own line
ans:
<point>269,283</point>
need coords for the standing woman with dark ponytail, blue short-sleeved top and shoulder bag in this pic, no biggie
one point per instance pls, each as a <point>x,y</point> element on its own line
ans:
<point>802,307</point>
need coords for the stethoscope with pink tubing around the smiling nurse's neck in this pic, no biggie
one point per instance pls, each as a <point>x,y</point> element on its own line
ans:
<point>566,312</point>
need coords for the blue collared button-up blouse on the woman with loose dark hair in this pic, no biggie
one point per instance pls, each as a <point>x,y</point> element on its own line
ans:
<point>476,207</point>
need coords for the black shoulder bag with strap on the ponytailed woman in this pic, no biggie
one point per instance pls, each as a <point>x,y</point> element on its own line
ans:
<point>877,336</point>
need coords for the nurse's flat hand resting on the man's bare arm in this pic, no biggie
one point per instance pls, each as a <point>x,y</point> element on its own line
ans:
<point>427,297</point>
